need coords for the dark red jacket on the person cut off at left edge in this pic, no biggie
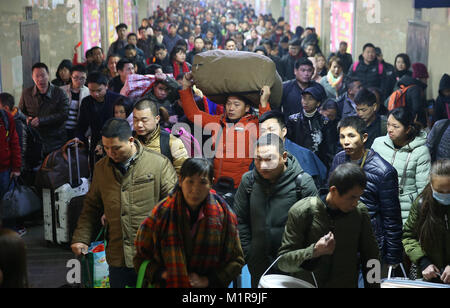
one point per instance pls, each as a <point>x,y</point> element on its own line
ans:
<point>10,158</point>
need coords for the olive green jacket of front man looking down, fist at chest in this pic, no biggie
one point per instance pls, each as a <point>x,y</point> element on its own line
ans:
<point>308,221</point>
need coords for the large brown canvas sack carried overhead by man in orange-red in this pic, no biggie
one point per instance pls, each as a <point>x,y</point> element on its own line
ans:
<point>219,73</point>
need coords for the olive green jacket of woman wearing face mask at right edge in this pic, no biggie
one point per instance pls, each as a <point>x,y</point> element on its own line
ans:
<point>439,254</point>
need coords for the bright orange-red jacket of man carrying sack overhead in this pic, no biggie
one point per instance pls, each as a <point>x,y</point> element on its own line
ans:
<point>234,152</point>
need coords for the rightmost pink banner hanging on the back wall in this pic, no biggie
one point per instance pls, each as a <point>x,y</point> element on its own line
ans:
<point>341,24</point>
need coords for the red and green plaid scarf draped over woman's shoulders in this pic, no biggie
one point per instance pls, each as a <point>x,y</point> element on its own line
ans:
<point>165,238</point>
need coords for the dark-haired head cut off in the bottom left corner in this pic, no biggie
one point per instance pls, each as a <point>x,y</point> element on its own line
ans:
<point>13,260</point>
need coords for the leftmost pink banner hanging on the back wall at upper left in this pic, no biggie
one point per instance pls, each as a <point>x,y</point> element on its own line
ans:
<point>91,25</point>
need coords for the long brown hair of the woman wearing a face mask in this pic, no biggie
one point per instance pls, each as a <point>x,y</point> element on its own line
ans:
<point>430,217</point>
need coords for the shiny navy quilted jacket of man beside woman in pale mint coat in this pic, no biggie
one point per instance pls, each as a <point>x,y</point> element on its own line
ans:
<point>381,199</point>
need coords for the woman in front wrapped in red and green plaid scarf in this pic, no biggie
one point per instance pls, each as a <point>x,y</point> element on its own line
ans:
<point>191,237</point>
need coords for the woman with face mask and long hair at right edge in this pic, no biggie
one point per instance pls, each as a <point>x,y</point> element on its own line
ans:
<point>426,234</point>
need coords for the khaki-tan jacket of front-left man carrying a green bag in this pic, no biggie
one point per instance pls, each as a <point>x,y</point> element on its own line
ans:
<point>126,200</point>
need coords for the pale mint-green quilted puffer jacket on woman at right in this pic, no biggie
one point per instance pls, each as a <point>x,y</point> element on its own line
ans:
<point>418,169</point>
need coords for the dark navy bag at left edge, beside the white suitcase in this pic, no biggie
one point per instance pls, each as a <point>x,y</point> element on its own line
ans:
<point>19,201</point>
